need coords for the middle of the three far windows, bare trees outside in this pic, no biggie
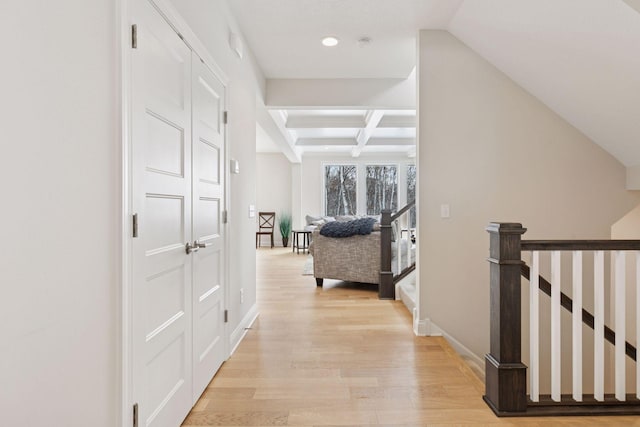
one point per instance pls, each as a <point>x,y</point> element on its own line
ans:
<point>382,188</point>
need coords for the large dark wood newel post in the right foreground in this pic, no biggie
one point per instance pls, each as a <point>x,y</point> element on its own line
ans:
<point>506,375</point>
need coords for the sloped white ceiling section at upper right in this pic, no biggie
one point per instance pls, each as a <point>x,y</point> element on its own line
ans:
<point>580,57</point>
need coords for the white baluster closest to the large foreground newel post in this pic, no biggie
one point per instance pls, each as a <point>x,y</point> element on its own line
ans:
<point>534,327</point>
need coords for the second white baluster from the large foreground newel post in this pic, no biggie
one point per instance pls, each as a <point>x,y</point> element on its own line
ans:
<point>556,351</point>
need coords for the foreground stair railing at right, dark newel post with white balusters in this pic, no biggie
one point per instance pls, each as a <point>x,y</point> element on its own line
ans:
<point>506,374</point>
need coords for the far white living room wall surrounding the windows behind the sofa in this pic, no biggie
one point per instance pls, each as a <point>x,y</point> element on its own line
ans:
<point>311,188</point>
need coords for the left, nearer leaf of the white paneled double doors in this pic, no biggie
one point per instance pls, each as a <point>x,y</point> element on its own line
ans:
<point>161,196</point>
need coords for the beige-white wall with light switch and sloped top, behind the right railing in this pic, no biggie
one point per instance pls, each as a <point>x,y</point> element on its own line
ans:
<point>495,153</point>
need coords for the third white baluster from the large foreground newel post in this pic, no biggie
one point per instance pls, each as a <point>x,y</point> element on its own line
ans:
<point>577,326</point>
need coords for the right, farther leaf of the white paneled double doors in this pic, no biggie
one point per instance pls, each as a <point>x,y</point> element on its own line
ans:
<point>208,203</point>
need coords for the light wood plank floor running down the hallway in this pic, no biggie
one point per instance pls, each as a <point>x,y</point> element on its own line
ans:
<point>339,356</point>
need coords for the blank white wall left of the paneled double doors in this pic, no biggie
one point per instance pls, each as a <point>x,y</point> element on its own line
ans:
<point>60,169</point>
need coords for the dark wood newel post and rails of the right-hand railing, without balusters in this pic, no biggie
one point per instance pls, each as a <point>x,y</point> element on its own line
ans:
<point>506,377</point>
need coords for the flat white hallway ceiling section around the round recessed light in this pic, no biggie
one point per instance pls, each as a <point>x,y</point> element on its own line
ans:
<point>285,35</point>
